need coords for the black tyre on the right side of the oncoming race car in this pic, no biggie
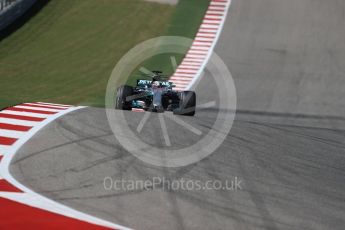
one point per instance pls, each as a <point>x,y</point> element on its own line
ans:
<point>187,104</point>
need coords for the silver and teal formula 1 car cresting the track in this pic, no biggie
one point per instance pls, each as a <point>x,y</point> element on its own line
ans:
<point>156,95</point>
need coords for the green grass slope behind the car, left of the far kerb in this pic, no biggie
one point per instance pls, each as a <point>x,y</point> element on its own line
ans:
<point>65,54</point>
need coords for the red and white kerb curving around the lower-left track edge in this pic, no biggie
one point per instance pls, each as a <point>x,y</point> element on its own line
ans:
<point>21,208</point>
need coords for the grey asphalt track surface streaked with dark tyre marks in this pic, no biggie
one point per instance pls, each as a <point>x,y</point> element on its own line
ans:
<point>287,144</point>
